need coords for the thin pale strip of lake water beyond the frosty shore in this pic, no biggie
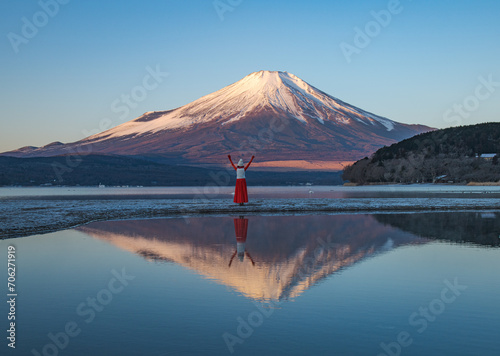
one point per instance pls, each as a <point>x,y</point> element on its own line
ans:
<point>334,191</point>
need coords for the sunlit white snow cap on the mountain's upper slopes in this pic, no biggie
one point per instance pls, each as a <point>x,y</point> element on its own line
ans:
<point>279,91</point>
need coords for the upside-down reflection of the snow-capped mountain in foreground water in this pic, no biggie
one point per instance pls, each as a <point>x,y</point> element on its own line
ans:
<point>261,257</point>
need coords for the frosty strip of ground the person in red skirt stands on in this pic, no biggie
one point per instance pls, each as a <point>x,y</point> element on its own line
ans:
<point>26,217</point>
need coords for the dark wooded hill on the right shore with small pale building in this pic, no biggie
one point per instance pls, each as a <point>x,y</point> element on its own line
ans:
<point>452,154</point>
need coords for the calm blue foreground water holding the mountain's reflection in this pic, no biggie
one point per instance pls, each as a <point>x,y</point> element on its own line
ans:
<point>350,284</point>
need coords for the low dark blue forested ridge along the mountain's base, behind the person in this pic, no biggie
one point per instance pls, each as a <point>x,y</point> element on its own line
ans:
<point>118,170</point>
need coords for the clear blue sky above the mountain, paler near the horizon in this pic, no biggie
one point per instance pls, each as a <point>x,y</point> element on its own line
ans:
<point>428,62</point>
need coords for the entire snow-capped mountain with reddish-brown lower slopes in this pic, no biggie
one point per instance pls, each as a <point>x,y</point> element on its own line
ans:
<point>275,115</point>
